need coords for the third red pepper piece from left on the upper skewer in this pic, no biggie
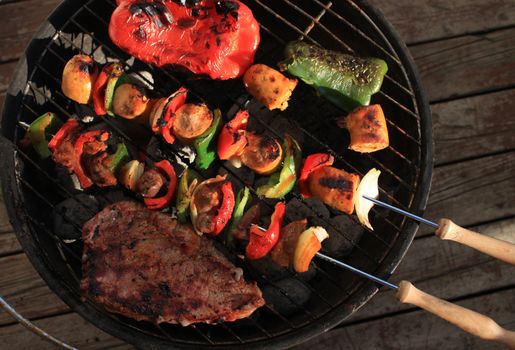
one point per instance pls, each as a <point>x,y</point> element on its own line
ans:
<point>232,140</point>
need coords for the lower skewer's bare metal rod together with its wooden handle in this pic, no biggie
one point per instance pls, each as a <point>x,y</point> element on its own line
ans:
<point>470,321</point>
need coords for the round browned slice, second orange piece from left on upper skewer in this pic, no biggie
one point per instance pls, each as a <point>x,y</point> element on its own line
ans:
<point>129,101</point>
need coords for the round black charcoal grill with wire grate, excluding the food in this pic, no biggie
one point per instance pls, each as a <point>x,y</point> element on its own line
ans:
<point>298,306</point>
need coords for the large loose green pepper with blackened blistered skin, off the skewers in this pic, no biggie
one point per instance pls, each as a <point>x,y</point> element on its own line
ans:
<point>345,80</point>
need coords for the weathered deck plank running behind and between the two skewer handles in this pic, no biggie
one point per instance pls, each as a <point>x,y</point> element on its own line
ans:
<point>446,269</point>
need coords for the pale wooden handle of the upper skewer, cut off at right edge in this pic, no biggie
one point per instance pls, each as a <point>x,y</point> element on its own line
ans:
<point>497,248</point>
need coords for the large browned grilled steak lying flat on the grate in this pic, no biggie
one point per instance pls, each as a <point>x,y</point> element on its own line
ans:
<point>145,265</point>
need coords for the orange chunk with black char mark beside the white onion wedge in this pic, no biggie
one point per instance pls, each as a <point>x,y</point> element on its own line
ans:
<point>334,187</point>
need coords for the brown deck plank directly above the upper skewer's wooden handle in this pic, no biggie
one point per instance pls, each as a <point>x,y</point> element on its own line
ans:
<point>473,192</point>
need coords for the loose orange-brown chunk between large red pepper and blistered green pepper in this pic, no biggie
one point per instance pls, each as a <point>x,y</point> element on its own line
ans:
<point>269,86</point>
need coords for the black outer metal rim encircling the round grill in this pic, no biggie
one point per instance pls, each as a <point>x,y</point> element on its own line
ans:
<point>19,220</point>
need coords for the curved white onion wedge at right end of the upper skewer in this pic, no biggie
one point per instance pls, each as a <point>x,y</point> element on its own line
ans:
<point>368,187</point>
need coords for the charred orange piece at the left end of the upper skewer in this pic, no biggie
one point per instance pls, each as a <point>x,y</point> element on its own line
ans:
<point>79,75</point>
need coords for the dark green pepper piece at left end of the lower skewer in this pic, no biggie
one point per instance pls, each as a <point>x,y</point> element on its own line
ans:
<point>41,131</point>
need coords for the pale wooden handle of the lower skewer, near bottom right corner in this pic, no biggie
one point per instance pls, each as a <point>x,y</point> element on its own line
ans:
<point>468,320</point>
